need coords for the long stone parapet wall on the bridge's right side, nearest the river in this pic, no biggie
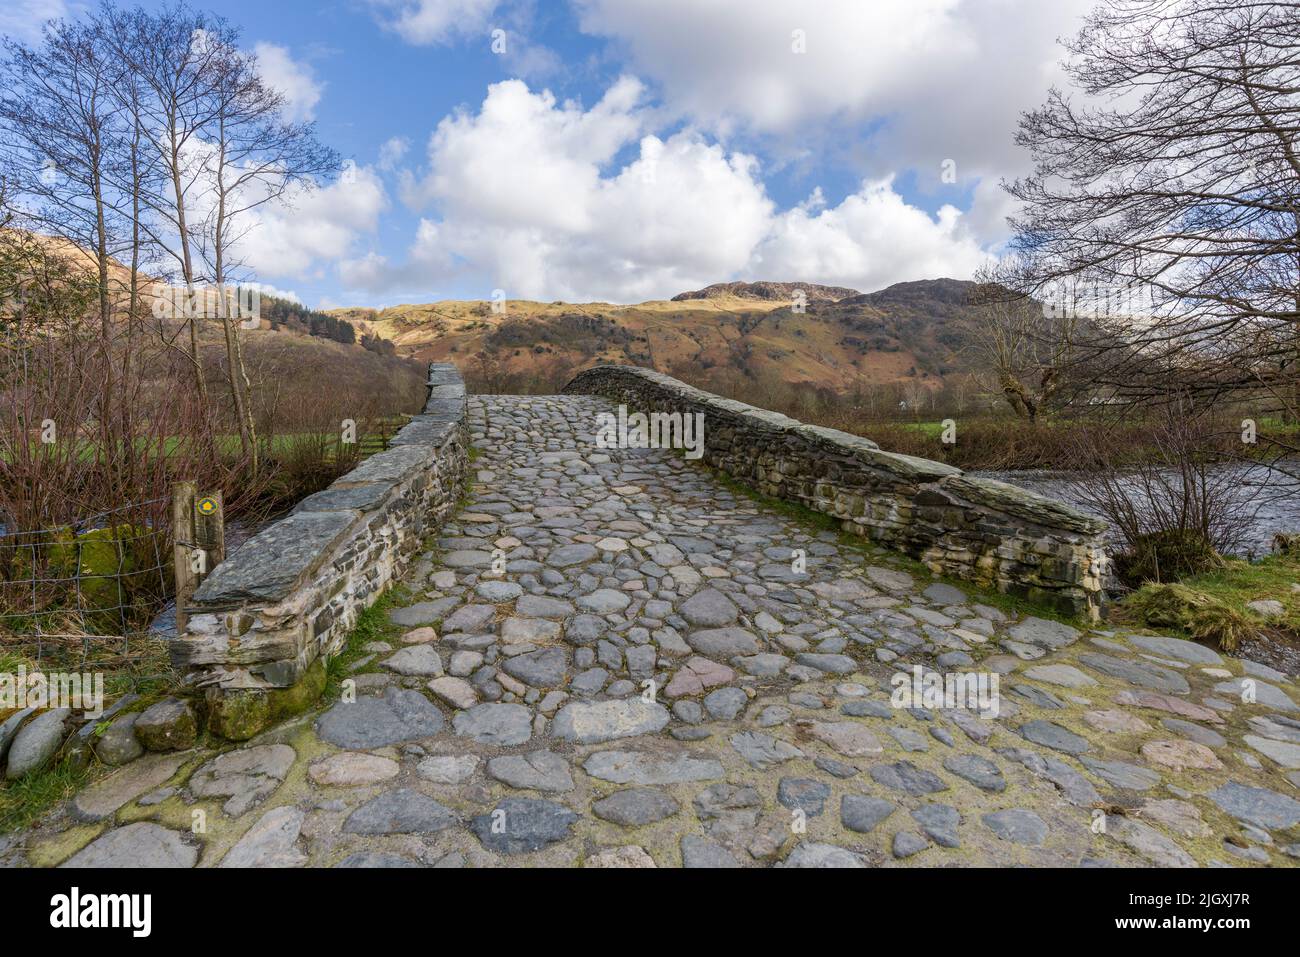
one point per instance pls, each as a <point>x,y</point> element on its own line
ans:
<point>983,531</point>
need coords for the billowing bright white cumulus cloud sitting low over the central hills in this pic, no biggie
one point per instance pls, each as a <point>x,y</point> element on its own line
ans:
<point>554,201</point>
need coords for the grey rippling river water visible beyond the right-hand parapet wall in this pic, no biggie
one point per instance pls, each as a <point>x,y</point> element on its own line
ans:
<point>1273,496</point>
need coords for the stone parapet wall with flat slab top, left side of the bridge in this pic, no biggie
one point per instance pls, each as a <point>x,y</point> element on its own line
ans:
<point>265,622</point>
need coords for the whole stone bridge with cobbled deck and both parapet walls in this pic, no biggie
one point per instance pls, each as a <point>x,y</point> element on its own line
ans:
<point>623,657</point>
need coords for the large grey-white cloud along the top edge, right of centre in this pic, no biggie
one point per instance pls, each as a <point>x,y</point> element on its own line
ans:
<point>886,85</point>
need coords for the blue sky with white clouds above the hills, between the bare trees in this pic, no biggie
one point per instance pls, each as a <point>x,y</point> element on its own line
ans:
<point>626,150</point>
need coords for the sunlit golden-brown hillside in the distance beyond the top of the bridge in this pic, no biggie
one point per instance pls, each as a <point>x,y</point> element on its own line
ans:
<point>843,340</point>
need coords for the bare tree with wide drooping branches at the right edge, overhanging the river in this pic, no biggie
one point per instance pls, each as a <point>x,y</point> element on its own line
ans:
<point>1175,176</point>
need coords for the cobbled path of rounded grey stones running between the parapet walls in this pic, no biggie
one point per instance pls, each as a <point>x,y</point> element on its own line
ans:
<point>612,660</point>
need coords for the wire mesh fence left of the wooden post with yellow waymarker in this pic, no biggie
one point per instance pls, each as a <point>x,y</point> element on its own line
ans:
<point>86,592</point>
